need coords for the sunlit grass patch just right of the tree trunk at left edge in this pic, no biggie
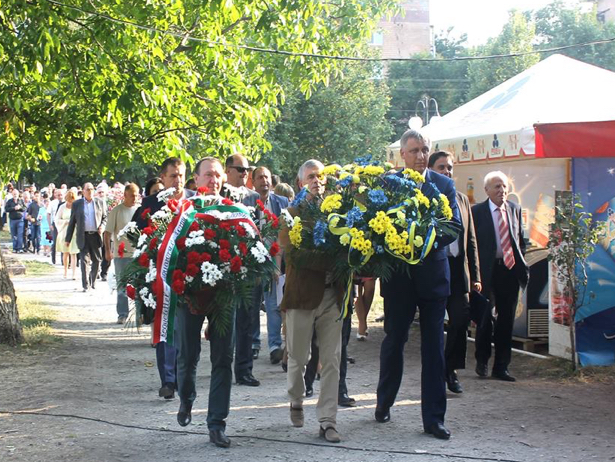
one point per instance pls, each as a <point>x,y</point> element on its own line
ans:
<point>36,319</point>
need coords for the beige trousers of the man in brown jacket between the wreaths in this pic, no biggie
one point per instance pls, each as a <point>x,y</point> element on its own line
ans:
<point>299,328</point>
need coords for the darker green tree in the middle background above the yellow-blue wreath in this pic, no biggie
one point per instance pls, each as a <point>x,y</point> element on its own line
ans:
<point>336,124</point>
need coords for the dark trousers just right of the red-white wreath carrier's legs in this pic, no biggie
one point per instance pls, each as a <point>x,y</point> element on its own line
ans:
<point>244,330</point>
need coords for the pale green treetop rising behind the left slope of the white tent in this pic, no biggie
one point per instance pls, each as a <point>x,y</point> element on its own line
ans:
<point>517,36</point>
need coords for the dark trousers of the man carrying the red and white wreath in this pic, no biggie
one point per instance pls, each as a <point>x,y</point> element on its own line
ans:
<point>188,344</point>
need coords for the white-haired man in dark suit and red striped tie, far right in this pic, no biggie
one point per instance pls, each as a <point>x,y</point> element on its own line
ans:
<point>499,233</point>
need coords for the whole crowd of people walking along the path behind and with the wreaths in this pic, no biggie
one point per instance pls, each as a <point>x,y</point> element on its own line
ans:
<point>82,224</point>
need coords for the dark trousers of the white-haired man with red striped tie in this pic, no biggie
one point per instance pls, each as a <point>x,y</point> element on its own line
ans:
<point>504,295</point>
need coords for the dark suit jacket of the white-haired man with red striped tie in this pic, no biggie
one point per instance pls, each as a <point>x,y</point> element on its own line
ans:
<point>487,246</point>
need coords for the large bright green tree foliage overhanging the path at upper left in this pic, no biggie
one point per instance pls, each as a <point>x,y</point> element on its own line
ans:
<point>107,94</point>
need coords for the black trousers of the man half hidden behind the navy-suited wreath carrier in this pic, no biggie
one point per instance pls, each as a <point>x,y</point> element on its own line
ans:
<point>458,309</point>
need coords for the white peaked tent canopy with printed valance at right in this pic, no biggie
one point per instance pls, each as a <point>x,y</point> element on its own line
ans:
<point>500,123</point>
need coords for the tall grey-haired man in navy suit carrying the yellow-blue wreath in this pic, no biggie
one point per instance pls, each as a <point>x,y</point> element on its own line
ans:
<point>428,288</point>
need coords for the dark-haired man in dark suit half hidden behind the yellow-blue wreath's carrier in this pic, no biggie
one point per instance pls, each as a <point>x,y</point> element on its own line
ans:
<point>465,276</point>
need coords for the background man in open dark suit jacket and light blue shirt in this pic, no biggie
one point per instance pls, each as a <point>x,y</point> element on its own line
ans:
<point>88,219</point>
